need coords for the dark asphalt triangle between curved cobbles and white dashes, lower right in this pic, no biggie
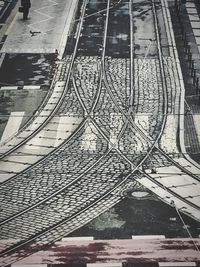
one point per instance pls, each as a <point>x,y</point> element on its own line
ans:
<point>142,216</point>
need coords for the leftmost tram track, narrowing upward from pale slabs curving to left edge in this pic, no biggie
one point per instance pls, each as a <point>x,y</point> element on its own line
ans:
<point>50,114</point>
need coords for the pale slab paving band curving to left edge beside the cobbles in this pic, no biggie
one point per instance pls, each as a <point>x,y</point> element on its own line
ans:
<point>50,137</point>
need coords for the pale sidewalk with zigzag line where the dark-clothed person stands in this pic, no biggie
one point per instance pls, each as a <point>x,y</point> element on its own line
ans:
<point>48,20</point>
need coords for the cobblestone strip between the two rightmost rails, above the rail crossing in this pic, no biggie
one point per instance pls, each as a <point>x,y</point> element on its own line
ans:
<point>149,93</point>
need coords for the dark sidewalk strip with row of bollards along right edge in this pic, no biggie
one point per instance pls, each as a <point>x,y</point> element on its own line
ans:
<point>186,25</point>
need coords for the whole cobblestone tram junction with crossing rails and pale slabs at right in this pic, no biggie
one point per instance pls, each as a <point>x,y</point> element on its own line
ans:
<point>104,145</point>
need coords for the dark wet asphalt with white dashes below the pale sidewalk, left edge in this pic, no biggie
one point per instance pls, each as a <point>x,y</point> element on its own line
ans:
<point>16,72</point>
